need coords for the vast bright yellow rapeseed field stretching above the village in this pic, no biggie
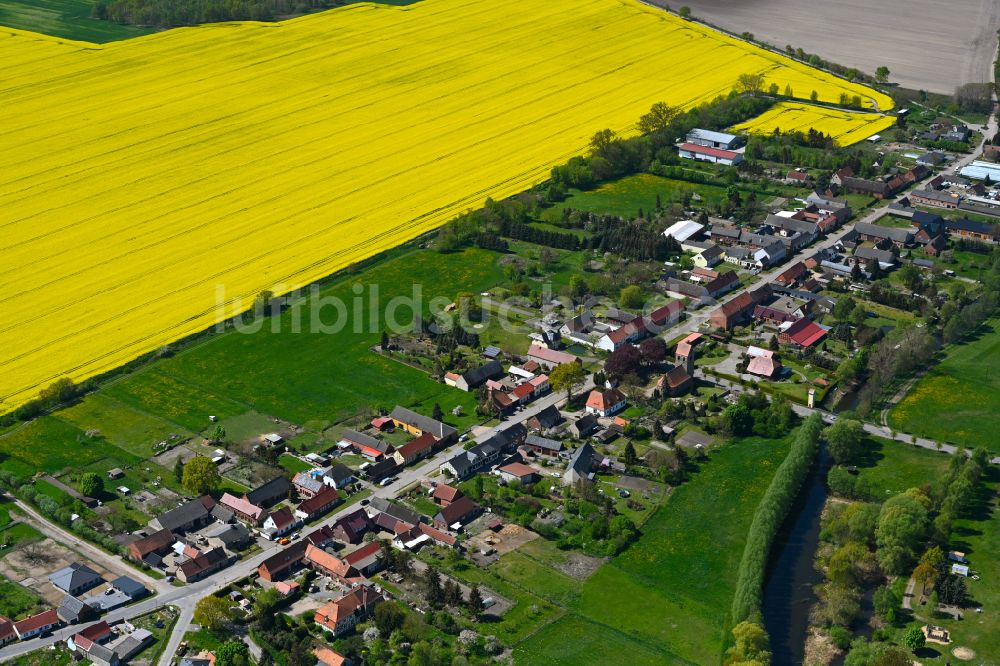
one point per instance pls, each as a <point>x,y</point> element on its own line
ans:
<point>139,175</point>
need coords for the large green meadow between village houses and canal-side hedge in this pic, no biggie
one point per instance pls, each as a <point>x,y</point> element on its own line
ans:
<point>680,573</point>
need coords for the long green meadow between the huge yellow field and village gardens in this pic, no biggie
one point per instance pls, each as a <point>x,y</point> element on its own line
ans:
<point>300,376</point>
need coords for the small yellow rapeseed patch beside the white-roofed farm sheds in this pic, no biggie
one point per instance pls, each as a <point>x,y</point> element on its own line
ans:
<point>844,126</point>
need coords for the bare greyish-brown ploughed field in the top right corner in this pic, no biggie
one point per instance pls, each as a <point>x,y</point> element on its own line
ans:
<point>926,44</point>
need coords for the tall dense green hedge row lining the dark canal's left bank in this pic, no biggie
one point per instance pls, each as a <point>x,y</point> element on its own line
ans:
<point>767,520</point>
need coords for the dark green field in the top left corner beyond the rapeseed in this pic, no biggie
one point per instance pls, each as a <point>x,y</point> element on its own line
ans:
<point>69,19</point>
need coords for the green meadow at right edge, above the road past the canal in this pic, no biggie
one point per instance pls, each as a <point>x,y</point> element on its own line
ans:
<point>958,400</point>
